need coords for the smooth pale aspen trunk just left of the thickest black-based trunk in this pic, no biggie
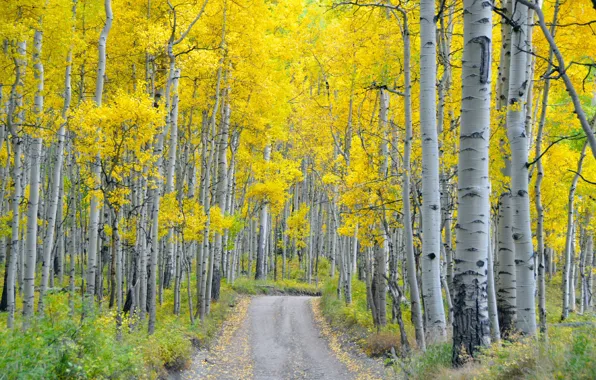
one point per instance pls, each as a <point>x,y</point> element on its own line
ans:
<point>431,203</point>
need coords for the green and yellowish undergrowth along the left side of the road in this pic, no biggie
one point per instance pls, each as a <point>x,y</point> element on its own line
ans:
<point>58,346</point>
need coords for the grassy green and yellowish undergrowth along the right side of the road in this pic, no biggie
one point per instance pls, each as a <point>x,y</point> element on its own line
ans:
<point>568,353</point>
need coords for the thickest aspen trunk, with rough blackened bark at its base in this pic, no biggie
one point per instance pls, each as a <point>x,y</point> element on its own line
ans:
<point>471,326</point>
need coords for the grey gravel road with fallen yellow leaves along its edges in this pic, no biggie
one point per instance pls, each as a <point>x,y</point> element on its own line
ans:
<point>280,337</point>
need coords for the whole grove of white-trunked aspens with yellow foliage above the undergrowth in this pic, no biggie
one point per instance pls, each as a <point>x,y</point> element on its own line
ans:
<point>442,153</point>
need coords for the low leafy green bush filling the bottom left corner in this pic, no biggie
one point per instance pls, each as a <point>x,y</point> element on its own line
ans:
<point>65,349</point>
